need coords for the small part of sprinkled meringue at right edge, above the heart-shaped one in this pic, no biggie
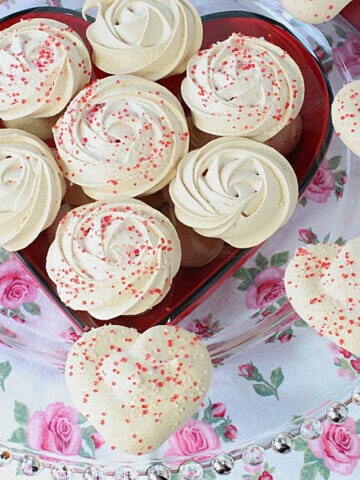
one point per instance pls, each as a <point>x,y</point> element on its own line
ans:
<point>345,112</point>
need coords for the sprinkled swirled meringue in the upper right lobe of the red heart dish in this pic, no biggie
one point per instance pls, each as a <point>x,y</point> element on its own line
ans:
<point>244,86</point>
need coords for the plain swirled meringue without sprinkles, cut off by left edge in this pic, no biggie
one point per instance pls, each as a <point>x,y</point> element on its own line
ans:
<point>31,188</point>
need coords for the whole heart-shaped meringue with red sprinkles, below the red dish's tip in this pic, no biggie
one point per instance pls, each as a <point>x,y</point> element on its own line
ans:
<point>137,389</point>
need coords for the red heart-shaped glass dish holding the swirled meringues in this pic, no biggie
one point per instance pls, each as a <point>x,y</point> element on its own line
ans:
<point>193,285</point>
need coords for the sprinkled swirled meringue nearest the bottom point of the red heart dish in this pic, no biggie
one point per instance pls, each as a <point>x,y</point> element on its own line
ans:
<point>115,258</point>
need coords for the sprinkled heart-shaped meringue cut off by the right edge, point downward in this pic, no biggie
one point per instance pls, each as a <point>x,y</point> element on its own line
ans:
<point>322,282</point>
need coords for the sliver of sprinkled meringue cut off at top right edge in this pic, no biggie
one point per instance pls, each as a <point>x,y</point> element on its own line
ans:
<point>314,11</point>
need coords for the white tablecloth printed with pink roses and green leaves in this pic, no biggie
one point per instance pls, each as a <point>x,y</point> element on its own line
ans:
<point>266,388</point>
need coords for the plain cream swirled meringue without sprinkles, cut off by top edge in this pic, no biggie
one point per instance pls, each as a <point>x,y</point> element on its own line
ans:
<point>151,39</point>
